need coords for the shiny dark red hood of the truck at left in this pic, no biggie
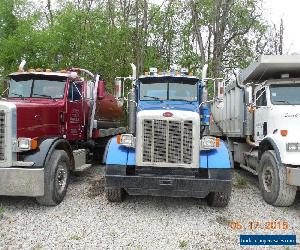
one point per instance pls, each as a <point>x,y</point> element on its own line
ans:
<point>38,118</point>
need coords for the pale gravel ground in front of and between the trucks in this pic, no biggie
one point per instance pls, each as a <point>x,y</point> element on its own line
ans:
<point>85,220</point>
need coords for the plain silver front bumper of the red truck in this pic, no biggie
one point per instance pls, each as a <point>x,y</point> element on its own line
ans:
<point>22,182</point>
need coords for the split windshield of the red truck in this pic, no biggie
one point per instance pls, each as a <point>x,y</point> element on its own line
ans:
<point>37,86</point>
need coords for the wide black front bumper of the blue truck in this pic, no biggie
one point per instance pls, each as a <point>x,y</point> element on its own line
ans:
<point>171,185</point>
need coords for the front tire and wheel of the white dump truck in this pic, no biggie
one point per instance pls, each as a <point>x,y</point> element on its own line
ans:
<point>273,181</point>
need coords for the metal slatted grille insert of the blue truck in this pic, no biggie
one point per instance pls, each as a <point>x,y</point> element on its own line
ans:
<point>167,141</point>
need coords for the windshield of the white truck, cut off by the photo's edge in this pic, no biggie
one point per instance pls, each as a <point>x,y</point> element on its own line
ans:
<point>285,94</point>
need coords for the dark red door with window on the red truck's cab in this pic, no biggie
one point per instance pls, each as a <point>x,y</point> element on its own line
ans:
<point>74,113</point>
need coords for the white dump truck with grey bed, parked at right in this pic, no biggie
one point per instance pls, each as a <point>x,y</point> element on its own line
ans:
<point>259,115</point>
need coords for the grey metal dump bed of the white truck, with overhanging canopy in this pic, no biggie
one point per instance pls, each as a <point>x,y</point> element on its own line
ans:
<point>233,119</point>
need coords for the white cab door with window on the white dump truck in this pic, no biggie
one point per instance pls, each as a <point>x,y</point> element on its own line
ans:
<point>261,115</point>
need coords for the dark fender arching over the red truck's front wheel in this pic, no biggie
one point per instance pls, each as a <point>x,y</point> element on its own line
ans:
<point>42,155</point>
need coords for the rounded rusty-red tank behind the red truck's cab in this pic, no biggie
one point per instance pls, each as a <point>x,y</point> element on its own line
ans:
<point>109,112</point>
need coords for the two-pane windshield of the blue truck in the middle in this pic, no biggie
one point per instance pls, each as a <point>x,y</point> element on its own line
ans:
<point>168,88</point>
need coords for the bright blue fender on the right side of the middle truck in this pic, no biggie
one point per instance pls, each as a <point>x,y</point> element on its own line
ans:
<point>220,157</point>
